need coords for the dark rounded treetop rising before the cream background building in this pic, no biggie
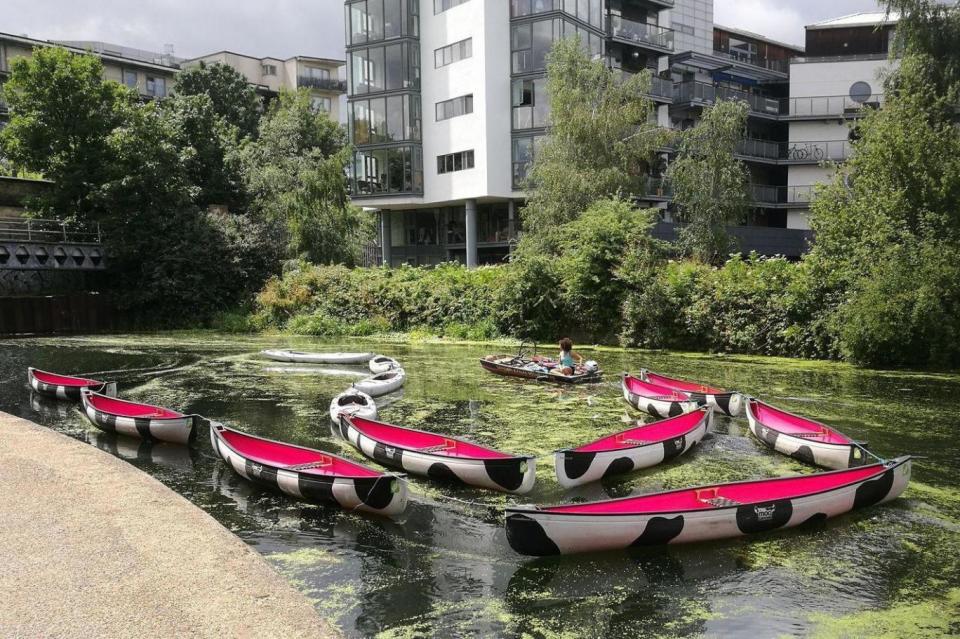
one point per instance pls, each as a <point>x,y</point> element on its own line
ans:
<point>230,94</point>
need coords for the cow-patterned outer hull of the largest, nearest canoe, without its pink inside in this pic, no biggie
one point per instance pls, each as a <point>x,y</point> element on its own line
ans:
<point>539,532</point>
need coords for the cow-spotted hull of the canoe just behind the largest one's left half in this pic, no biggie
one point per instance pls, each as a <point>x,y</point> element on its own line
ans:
<point>578,467</point>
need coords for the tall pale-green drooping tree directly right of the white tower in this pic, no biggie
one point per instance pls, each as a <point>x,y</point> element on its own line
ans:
<point>599,141</point>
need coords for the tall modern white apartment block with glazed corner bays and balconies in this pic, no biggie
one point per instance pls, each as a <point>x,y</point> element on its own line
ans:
<point>447,98</point>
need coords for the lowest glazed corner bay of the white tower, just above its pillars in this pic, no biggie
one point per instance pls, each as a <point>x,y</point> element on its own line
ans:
<point>391,170</point>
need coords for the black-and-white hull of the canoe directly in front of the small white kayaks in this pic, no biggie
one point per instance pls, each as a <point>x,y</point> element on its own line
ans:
<point>505,474</point>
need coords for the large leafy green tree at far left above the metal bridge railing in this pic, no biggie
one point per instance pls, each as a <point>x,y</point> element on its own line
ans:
<point>62,112</point>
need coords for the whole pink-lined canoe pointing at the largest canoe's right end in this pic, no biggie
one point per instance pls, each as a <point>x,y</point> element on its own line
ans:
<point>802,438</point>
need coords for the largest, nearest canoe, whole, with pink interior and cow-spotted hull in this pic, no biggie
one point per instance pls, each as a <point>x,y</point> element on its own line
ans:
<point>703,513</point>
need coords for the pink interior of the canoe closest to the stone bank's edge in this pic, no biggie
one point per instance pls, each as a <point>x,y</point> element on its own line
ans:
<point>282,455</point>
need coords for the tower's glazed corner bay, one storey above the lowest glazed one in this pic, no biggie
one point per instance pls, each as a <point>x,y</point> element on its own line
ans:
<point>393,118</point>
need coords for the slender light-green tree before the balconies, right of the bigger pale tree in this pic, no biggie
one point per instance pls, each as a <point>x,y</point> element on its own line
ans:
<point>709,183</point>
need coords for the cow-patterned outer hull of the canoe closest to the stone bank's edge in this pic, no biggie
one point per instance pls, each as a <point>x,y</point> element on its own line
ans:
<point>381,494</point>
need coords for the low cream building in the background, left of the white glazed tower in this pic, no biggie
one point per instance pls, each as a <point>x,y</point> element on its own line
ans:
<point>321,76</point>
